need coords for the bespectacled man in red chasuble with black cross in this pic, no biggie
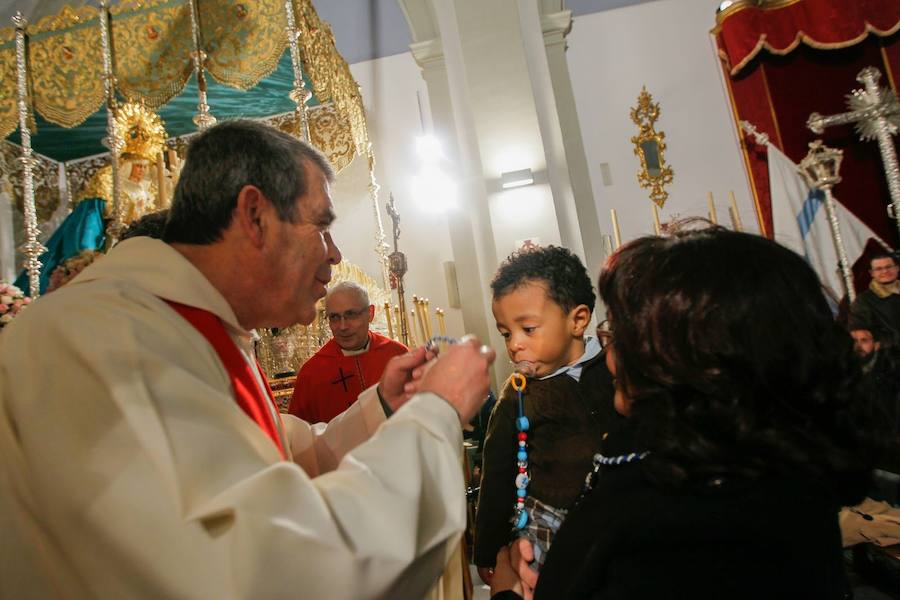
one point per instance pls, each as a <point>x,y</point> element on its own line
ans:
<point>332,379</point>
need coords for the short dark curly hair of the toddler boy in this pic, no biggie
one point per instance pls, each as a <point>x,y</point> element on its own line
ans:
<point>568,282</point>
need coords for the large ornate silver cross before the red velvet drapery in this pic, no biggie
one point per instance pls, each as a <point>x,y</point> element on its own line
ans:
<point>876,115</point>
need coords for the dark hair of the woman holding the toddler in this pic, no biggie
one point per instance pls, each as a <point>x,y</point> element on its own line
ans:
<point>734,364</point>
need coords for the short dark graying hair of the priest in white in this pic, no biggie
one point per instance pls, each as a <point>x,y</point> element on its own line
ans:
<point>225,158</point>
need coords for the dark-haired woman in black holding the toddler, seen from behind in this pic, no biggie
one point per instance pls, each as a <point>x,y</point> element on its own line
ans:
<point>746,432</point>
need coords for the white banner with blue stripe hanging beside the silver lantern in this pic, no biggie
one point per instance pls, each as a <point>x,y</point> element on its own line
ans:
<point>801,223</point>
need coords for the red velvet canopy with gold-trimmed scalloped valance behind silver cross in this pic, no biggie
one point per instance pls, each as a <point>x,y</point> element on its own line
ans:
<point>784,59</point>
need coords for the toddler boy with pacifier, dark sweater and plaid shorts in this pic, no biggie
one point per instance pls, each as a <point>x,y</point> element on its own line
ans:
<point>542,303</point>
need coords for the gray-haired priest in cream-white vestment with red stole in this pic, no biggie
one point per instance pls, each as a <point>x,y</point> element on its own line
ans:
<point>128,470</point>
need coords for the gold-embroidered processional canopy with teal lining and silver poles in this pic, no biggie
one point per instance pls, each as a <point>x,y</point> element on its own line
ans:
<point>135,56</point>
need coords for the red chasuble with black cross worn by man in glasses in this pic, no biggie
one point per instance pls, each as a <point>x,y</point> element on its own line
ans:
<point>329,382</point>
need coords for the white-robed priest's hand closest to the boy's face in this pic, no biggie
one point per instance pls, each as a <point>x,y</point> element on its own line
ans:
<point>460,376</point>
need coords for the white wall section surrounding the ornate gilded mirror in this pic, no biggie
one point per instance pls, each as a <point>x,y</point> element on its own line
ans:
<point>666,46</point>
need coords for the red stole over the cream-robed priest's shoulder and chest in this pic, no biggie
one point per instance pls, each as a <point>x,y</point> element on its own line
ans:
<point>243,382</point>
